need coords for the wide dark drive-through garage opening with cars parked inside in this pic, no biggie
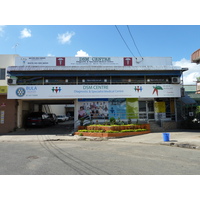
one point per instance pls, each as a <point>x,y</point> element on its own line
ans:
<point>55,125</point>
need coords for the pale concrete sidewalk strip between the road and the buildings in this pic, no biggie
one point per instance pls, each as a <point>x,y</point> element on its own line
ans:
<point>185,138</point>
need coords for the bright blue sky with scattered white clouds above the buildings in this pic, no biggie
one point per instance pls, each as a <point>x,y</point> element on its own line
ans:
<point>176,41</point>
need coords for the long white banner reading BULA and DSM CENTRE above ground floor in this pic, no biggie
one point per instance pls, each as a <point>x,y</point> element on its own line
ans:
<point>92,91</point>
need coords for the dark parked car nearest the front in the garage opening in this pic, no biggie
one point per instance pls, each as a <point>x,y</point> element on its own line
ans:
<point>38,119</point>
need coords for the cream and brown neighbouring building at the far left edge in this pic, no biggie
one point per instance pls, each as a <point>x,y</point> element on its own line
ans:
<point>8,112</point>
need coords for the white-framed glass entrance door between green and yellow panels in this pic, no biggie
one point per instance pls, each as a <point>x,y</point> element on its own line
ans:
<point>146,110</point>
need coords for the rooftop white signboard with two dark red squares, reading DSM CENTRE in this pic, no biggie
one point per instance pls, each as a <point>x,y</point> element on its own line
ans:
<point>146,62</point>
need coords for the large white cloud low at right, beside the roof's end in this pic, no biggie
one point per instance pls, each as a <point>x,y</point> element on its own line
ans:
<point>189,76</point>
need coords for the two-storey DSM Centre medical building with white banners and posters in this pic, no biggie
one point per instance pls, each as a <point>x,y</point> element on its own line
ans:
<point>126,88</point>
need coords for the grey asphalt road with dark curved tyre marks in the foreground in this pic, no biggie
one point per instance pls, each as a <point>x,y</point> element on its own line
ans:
<point>95,158</point>
